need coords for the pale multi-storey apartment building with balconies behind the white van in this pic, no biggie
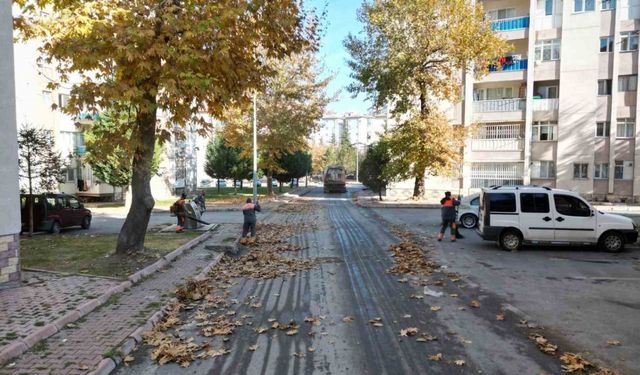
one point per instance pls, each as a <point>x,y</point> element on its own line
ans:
<point>560,108</point>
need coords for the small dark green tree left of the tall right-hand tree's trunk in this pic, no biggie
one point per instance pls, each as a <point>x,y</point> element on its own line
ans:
<point>373,168</point>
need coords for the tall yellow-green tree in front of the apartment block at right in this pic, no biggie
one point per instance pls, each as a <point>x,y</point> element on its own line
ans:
<point>416,51</point>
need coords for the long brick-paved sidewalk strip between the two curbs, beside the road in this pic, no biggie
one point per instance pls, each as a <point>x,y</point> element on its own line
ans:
<point>77,349</point>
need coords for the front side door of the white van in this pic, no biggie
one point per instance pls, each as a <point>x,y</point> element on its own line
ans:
<point>574,219</point>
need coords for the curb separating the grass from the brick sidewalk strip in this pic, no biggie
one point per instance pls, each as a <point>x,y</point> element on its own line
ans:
<point>23,345</point>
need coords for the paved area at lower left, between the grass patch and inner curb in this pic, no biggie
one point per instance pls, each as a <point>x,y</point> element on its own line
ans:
<point>42,298</point>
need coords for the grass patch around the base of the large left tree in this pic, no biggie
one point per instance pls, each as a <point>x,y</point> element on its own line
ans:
<point>95,255</point>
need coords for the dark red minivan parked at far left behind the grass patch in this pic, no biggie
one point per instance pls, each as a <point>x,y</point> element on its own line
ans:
<point>52,212</point>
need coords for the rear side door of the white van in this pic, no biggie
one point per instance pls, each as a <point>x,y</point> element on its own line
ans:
<point>536,219</point>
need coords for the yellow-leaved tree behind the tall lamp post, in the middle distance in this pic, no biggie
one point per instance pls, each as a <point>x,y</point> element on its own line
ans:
<point>288,112</point>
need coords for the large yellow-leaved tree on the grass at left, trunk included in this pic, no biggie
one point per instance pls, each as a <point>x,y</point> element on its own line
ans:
<point>183,58</point>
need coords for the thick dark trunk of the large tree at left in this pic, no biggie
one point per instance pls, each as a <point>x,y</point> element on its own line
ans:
<point>131,237</point>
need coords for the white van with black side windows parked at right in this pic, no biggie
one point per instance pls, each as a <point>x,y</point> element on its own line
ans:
<point>515,215</point>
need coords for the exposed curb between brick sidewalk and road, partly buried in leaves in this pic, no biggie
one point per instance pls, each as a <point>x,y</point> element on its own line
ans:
<point>107,365</point>
